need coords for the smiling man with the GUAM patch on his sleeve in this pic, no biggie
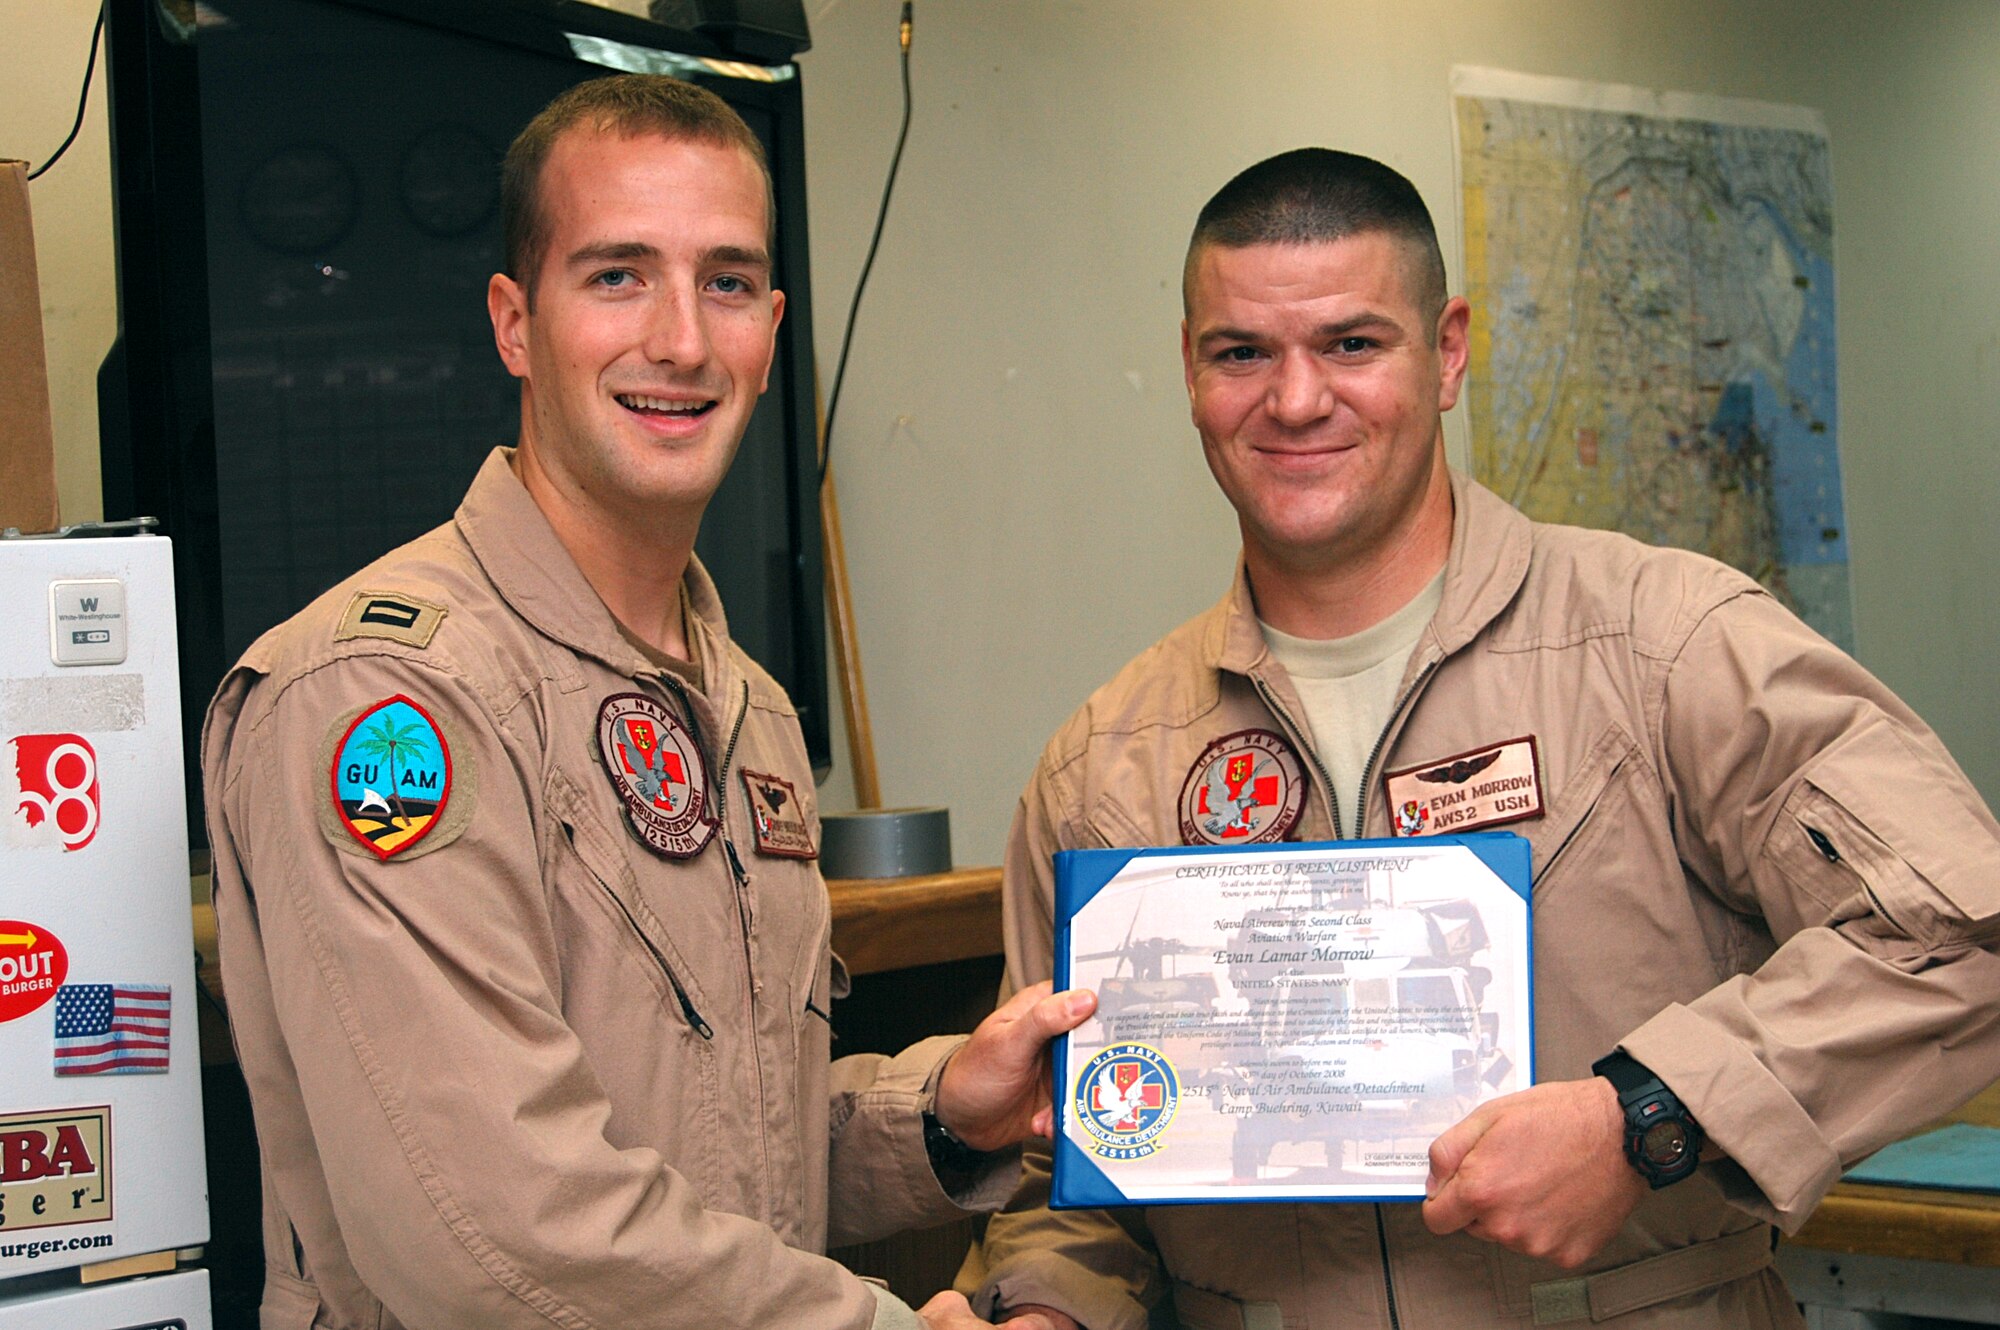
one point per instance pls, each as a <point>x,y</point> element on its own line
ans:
<point>523,935</point>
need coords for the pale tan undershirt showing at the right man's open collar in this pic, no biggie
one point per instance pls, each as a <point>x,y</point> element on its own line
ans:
<point>1349,689</point>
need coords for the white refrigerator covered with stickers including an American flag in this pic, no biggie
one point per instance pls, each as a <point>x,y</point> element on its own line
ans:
<point>101,1083</point>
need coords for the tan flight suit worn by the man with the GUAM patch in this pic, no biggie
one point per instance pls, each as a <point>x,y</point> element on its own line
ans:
<point>533,1073</point>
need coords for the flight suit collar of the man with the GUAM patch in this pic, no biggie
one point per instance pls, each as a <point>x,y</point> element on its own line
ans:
<point>535,575</point>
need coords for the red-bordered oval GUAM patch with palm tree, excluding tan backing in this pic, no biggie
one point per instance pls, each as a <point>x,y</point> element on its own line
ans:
<point>391,777</point>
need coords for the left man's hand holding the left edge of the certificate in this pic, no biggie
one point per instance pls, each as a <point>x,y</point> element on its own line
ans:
<point>995,1091</point>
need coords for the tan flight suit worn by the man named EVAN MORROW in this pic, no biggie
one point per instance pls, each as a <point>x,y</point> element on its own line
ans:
<point>1693,741</point>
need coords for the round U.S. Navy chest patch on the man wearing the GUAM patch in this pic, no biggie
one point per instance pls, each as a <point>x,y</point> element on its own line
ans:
<point>659,773</point>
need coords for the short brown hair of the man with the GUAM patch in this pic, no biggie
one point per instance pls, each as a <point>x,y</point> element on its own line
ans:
<point>623,105</point>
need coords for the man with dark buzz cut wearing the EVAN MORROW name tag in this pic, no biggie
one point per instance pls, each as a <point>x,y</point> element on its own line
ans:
<point>1765,897</point>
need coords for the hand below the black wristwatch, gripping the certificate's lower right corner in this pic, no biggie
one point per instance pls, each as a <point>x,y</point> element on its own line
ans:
<point>1541,1173</point>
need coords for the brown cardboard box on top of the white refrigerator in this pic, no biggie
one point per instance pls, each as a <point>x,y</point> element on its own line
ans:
<point>27,437</point>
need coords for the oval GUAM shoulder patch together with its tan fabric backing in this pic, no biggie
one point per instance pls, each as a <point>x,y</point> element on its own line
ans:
<point>397,787</point>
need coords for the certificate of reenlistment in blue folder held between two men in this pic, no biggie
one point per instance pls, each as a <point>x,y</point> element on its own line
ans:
<point>1287,1021</point>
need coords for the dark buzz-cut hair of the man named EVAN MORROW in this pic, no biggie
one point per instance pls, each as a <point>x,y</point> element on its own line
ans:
<point>1317,197</point>
